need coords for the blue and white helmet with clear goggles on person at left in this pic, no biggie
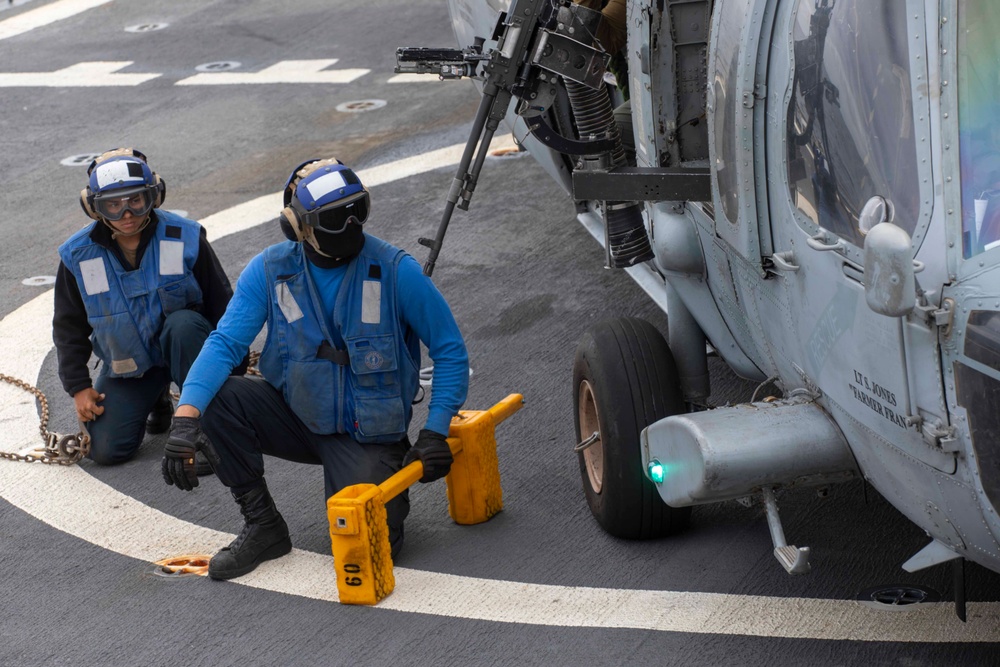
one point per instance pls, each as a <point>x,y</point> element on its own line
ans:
<point>120,181</point>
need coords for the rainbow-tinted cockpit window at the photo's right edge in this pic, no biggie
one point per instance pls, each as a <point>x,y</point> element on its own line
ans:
<point>979,124</point>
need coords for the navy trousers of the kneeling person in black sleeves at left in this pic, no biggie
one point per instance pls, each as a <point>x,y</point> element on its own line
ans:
<point>115,436</point>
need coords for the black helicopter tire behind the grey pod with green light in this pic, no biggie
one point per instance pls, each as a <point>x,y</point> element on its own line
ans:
<point>624,378</point>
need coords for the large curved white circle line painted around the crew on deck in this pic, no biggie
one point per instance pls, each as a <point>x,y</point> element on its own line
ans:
<point>100,514</point>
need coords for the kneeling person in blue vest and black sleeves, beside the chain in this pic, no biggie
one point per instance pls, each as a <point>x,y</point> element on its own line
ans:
<point>141,288</point>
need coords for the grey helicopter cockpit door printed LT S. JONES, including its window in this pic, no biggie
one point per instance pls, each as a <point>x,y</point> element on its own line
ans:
<point>848,120</point>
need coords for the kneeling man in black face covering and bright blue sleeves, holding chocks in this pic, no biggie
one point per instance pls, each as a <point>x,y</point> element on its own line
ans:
<point>345,314</point>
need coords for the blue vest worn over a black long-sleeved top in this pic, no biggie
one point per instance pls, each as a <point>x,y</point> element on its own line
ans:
<point>126,308</point>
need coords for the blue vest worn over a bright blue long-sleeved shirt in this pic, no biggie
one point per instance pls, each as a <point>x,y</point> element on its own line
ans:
<point>365,390</point>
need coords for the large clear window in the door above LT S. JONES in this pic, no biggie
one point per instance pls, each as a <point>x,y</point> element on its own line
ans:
<point>850,119</point>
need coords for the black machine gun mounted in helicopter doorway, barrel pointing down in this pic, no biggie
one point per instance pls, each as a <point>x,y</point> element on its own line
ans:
<point>537,42</point>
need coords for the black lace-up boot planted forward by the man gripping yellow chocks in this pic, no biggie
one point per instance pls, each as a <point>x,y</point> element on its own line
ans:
<point>264,537</point>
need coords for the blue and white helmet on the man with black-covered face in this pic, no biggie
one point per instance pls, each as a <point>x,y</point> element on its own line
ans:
<point>321,197</point>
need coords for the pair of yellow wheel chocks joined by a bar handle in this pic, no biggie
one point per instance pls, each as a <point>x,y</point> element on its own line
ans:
<point>359,534</point>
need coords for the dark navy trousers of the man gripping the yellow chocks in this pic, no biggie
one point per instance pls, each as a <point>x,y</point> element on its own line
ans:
<point>249,418</point>
